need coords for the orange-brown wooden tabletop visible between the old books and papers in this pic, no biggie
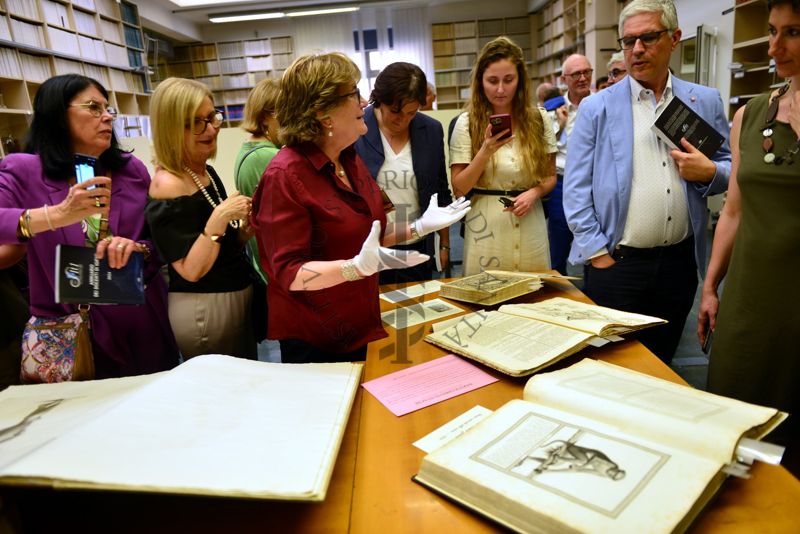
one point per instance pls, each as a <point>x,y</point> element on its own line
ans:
<point>386,499</point>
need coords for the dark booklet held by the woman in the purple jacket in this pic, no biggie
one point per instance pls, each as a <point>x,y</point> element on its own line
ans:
<point>83,279</point>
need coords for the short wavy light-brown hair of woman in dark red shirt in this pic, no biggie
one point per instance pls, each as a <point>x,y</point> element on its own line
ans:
<point>310,88</point>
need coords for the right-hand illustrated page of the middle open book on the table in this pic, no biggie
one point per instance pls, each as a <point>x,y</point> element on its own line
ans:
<point>581,316</point>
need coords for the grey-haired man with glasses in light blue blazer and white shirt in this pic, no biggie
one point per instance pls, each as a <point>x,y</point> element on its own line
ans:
<point>636,208</point>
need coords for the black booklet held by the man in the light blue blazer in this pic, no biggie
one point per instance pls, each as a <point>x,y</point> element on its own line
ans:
<point>679,120</point>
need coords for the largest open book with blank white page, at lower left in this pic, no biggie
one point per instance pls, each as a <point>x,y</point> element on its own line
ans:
<point>215,425</point>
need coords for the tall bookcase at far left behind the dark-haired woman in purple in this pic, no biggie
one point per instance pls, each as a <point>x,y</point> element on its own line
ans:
<point>43,38</point>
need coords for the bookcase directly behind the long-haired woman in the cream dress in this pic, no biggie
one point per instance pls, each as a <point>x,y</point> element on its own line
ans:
<point>456,46</point>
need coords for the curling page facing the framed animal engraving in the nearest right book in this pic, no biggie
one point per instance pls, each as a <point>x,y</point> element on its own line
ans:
<point>706,424</point>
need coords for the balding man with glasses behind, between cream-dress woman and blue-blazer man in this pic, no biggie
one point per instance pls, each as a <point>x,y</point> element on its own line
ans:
<point>576,74</point>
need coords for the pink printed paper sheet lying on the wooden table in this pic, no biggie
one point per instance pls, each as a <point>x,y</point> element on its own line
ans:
<point>427,383</point>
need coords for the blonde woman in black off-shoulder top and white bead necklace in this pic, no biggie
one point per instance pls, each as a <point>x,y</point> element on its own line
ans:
<point>198,229</point>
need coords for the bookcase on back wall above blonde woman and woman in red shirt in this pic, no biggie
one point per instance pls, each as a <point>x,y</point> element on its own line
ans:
<point>230,68</point>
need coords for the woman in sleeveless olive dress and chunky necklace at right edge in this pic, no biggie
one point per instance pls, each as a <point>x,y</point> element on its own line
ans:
<point>755,356</point>
